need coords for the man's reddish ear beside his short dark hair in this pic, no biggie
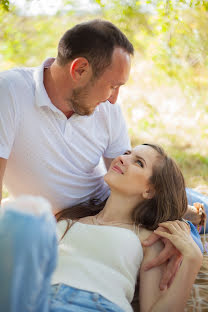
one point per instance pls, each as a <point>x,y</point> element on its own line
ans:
<point>80,70</point>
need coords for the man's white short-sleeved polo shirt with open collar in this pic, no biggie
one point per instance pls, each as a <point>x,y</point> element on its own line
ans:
<point>48,154</point>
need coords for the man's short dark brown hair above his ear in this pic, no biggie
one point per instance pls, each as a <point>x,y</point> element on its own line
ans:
<point>94,40</point>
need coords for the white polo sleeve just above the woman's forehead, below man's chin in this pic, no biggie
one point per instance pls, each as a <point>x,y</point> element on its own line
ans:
<point>119,140</point>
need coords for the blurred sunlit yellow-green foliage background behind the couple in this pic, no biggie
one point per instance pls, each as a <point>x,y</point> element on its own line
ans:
<point>166,97</point>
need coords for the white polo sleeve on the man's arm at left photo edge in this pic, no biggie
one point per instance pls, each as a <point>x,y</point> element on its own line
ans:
<point>7,118</point>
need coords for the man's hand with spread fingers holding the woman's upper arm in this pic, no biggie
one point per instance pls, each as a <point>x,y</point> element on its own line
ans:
<point>169,254</point>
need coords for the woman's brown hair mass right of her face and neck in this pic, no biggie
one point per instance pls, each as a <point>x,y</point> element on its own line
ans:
<point>170,200</point>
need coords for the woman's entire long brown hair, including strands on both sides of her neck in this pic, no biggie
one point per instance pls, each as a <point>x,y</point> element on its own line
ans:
<point>169,202</point>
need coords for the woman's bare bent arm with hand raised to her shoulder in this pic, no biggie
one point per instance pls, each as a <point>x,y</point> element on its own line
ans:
<point>174,298</point>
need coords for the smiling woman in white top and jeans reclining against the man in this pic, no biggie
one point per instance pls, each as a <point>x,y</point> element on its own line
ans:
<point>101,255</point>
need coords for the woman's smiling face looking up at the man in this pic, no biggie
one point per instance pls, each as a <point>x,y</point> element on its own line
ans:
<point>129,173</point>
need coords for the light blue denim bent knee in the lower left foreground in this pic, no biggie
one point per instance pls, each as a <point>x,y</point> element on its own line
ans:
<point>28,249</point>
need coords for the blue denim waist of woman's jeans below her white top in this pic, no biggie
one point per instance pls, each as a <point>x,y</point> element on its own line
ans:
<point>65,298</point>
